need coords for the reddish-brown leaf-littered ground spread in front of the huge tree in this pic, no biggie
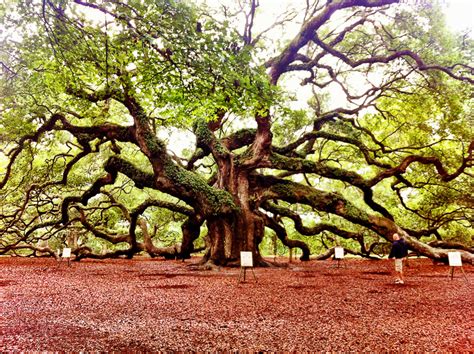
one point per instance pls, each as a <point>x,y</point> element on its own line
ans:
<point>154,305</point>
